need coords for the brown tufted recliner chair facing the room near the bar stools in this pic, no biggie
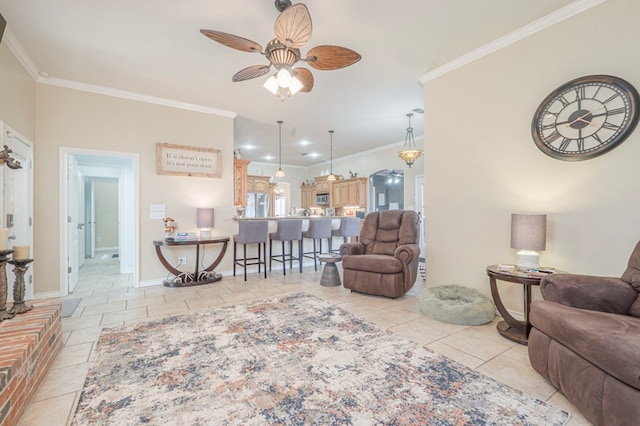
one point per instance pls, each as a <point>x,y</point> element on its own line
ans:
<point>385,260</point>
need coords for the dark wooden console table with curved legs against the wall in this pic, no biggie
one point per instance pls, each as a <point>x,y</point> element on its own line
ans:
<point>200,275</point>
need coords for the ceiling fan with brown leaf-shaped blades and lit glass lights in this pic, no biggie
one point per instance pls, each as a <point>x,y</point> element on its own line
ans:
<point>292,30</point>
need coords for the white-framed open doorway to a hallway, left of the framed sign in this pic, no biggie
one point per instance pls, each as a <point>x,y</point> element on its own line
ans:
<point>87,177</point>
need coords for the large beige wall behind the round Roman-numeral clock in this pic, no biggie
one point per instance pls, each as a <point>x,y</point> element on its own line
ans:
<point>481,164</point>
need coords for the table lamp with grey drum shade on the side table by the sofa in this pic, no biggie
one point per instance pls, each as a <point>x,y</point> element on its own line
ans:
<point>528,234</point>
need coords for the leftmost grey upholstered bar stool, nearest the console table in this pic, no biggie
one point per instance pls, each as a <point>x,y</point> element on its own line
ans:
<point>251,232</point>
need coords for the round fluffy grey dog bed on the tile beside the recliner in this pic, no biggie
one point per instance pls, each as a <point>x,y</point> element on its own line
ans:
<point>457,305</point>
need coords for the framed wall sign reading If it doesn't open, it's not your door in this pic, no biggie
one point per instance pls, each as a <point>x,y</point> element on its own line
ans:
<point>180,160</point>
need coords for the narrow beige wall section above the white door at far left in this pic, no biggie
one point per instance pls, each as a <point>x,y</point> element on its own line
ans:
<point>17,95</point>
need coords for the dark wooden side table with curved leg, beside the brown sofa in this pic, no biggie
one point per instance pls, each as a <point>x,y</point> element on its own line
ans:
<point>511,328</point>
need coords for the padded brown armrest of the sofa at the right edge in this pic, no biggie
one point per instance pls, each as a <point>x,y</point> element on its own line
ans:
<point>606,294</point>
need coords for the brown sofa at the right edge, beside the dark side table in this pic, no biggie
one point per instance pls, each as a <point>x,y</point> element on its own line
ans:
<point>585,339</point>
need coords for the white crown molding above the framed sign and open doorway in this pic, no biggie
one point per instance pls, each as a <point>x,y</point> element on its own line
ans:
<point>91,88</point>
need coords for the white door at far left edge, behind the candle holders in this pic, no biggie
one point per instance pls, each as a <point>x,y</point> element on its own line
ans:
<point>18,203</point>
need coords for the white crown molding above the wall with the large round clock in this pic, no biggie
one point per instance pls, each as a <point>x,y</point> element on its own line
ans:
<point>553,18</point>
